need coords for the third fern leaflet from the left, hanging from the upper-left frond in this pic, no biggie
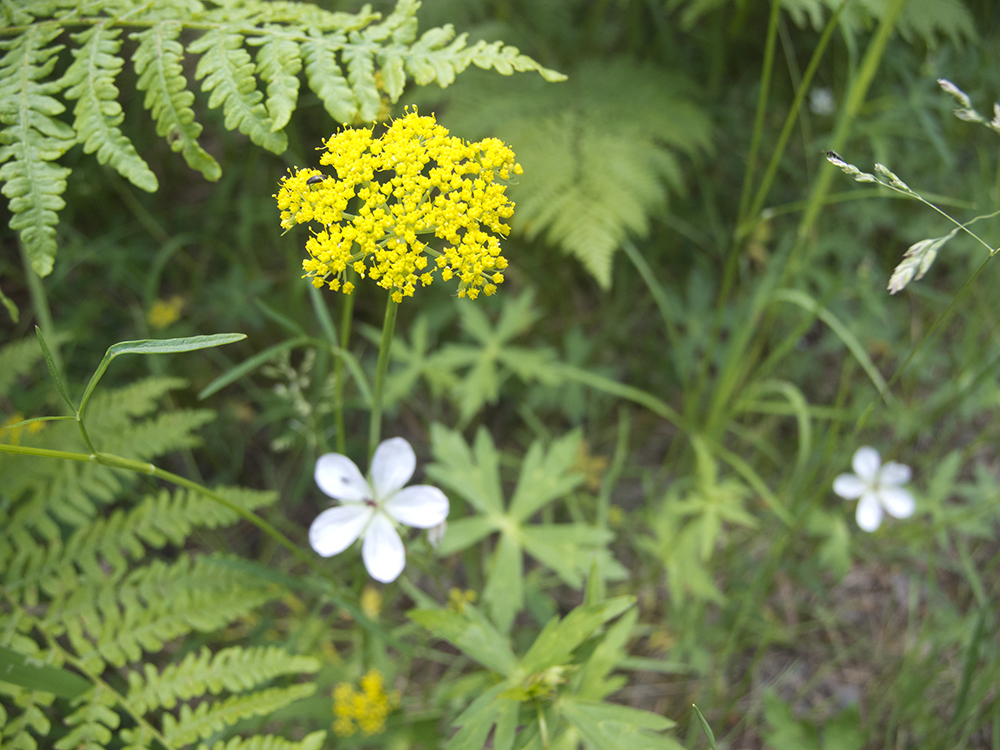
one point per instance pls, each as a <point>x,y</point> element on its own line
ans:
<point>157,62</point>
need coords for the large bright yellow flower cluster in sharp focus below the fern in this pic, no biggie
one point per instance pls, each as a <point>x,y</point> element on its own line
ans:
<point>390,194</point>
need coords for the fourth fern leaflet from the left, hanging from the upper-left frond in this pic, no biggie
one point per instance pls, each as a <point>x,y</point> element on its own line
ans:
<point>227,71</point>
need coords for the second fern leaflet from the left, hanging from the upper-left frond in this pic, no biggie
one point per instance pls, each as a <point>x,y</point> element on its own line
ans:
<point>98,114</point>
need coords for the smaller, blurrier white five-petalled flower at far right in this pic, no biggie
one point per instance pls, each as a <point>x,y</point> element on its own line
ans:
<point>878,488</point>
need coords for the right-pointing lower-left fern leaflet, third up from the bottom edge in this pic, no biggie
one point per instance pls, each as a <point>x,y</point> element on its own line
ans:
<point>233,669</point>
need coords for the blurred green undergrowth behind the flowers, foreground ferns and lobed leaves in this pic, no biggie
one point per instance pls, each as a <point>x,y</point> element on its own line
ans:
<point>796,633</point>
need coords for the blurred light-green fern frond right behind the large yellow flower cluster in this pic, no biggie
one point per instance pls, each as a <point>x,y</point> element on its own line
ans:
<point>601,150</point>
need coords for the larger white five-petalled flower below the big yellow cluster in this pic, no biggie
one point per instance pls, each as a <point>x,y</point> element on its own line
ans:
<point>369,510</point>
